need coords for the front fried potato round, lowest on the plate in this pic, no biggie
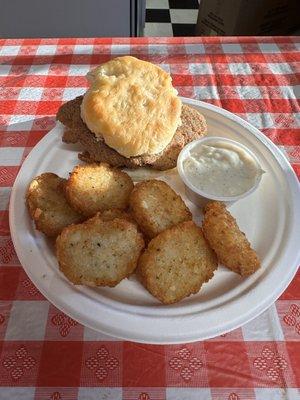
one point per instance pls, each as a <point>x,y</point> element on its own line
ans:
<point>176,263</point>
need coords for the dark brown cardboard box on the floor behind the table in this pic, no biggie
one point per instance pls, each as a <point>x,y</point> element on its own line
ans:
<point>247,17</point>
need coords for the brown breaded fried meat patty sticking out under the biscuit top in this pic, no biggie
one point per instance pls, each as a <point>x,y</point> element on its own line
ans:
<point>193,127</point>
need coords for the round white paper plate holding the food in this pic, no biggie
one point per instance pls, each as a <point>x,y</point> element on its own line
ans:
<point>270,217</point>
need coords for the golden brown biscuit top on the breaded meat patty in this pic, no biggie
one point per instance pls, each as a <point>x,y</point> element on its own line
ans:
<point>132,105</point>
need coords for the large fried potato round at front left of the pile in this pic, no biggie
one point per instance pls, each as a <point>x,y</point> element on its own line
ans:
<point>99,253</point>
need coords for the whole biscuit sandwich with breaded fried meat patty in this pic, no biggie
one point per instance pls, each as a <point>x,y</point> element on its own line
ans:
<point>130,116</point>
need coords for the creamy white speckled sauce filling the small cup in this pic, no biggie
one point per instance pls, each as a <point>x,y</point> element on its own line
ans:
<point>221,169</point>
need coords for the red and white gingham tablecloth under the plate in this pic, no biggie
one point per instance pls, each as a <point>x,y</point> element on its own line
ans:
<point>44,354</point>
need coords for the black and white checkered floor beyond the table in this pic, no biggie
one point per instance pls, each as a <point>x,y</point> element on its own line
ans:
<point>171,17</point>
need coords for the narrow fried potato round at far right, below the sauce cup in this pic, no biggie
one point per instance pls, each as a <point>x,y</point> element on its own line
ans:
<point>230,244</point>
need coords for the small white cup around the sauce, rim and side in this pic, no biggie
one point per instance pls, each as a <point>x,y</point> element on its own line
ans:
<point>199,197</point>
